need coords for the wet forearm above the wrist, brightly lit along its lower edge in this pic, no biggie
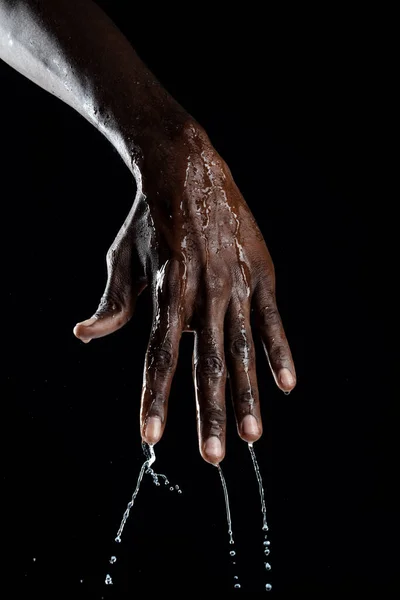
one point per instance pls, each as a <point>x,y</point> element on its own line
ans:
<point>73,50</point>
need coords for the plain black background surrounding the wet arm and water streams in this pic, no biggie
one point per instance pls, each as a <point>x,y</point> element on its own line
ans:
<point>299,108</point>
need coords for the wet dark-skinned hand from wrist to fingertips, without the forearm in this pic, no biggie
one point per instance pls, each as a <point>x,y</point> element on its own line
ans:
<point>191,237</point>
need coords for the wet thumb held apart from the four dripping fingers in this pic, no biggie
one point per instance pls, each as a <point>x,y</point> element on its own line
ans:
<point>118,301</point>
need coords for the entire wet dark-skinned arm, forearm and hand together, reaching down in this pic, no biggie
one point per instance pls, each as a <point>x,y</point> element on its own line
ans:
<point>190,236</point>
